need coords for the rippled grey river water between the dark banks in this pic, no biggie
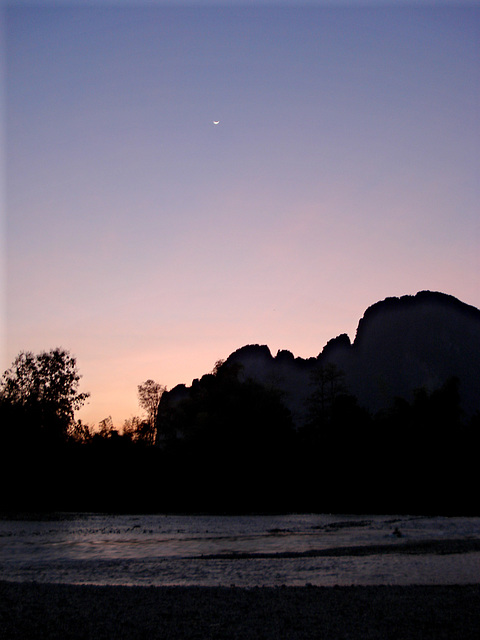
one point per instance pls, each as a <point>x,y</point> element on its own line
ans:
<point>246,551</point>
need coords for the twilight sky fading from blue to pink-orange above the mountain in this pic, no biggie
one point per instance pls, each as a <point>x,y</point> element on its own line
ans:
<point>151,242</point>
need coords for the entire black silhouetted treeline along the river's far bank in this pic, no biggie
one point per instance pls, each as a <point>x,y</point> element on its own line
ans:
<point>231,446</point>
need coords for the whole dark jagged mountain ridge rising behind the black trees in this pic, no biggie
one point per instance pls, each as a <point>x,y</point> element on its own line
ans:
<point>401,345</point>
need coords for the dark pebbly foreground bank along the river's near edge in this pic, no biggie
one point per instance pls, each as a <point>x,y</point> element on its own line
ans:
<point>64,611</point>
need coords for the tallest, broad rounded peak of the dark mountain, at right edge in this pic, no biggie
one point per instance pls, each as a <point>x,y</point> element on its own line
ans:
<point>416,341</point>
